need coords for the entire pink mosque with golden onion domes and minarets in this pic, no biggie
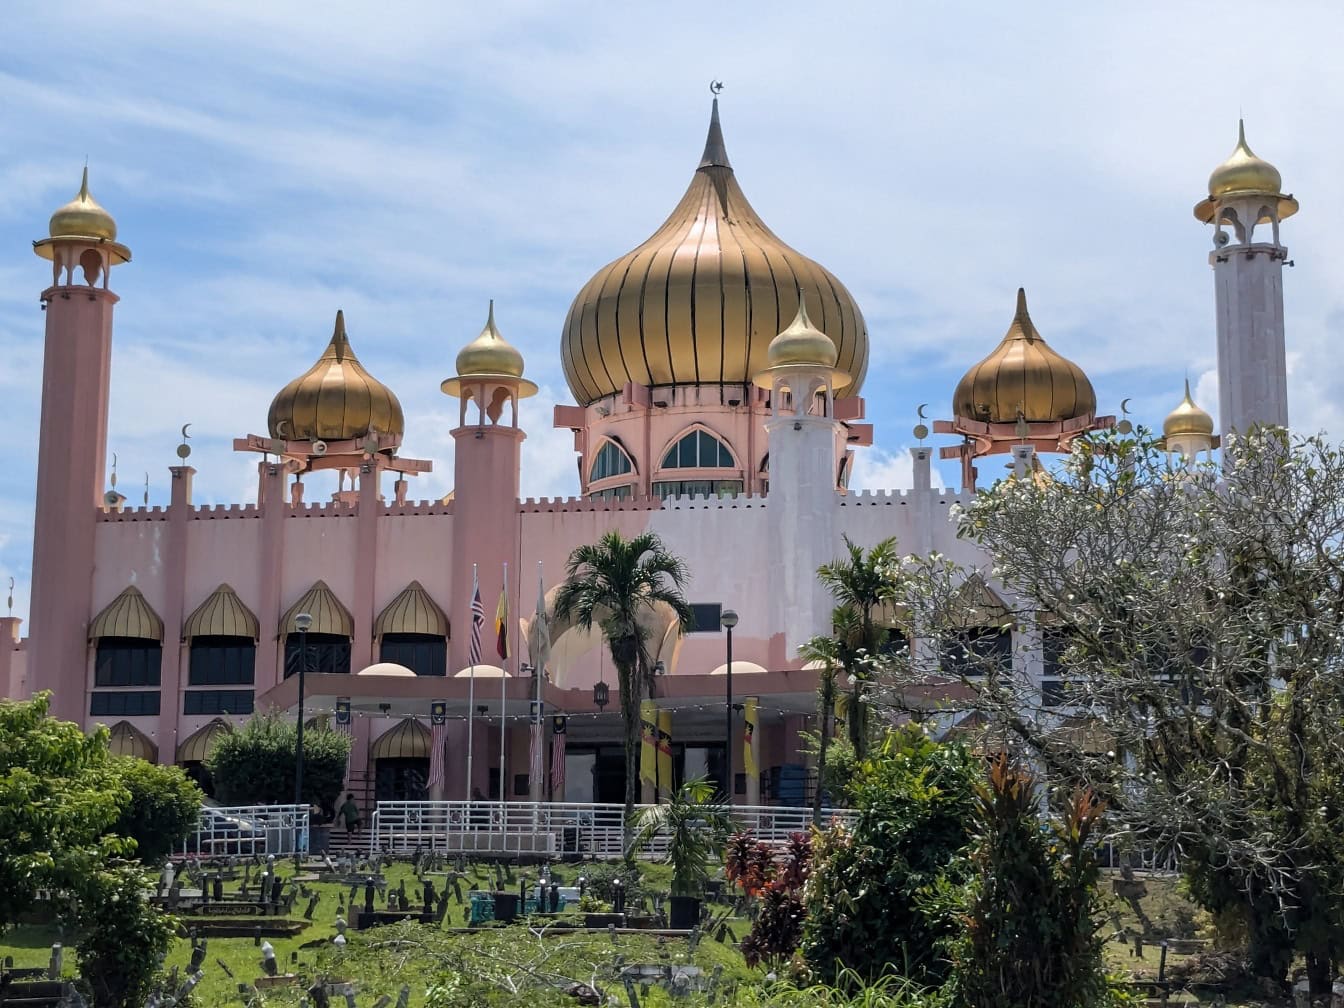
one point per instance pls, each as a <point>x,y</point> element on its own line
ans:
<point>717,376</point>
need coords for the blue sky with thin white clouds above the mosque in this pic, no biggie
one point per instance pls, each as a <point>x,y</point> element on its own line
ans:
<point>272,163</point>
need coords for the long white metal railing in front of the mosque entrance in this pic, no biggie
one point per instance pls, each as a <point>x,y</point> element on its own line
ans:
<point>546,829</point>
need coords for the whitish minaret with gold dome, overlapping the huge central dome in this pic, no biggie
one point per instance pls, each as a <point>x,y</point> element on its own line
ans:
<point>804,440</point>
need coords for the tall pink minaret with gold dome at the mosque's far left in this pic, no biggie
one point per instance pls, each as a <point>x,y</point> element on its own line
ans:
<point>72,448</point>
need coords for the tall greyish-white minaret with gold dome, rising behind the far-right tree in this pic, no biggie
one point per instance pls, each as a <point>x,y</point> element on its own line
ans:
<point>1244,194</point>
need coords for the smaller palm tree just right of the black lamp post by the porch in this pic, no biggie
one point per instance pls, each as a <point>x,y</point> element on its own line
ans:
<point>862,584</point>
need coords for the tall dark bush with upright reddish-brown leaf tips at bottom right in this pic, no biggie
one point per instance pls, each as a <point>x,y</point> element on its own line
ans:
<point>1033,929</point>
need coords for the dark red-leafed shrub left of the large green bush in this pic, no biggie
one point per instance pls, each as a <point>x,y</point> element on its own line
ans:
<point>775,880</point>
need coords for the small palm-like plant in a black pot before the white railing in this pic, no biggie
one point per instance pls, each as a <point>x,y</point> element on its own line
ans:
<point>694,825</point>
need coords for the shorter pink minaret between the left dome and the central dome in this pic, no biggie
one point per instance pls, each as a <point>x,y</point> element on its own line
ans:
<point>487,460</point>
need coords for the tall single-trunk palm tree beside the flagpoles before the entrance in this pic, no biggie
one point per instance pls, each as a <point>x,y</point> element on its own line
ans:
<point>612,584</point>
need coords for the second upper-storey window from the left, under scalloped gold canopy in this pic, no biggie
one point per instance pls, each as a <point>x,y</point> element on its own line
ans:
<point>221,638</point>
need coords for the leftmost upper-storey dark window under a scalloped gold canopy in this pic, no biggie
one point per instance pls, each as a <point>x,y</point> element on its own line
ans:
<point>128,639</point>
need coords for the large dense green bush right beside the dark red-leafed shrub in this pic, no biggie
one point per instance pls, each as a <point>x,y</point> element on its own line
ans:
<point>870,900</point>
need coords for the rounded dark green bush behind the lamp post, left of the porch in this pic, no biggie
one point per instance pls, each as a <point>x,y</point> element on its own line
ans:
<point>256,764</point>
